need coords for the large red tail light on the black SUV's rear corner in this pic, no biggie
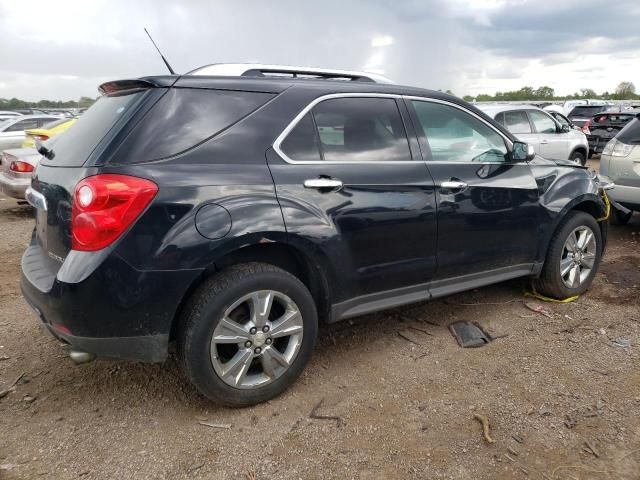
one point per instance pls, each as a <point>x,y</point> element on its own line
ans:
<point>104,206</point>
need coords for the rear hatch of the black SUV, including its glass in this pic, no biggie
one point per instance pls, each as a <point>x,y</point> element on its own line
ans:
<point>73,155</point>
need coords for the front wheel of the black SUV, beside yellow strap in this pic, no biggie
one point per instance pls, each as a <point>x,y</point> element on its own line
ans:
<point>551,282</point>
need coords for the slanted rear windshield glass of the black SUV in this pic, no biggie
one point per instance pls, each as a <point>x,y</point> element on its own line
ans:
<point>76,144</point>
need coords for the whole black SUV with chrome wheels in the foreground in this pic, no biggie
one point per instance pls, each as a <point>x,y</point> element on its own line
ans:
<point>231,215</point>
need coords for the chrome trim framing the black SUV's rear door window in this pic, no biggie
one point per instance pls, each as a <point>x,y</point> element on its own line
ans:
<point>316,101</point>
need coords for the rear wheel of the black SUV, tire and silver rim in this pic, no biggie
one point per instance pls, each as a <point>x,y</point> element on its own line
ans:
<point>258,377</point>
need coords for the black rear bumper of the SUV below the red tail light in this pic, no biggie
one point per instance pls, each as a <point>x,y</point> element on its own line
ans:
<point>115,312</point>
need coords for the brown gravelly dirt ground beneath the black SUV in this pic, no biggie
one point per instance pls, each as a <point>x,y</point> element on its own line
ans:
<point>563,400</point>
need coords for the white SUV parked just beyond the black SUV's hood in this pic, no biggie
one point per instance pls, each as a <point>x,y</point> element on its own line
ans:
<point>545,134</point>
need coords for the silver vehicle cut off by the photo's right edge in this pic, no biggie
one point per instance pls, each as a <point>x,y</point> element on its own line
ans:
<point>620,163</point>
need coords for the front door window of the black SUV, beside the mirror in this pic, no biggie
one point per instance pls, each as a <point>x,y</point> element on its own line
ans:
<point>456,136</point>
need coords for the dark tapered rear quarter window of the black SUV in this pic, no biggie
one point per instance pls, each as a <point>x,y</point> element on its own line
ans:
<point>185,117</point>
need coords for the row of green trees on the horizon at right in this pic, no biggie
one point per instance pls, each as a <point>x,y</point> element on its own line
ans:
<point>624,91</point>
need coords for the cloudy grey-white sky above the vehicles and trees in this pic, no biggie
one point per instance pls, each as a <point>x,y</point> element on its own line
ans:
<point>63,49</point>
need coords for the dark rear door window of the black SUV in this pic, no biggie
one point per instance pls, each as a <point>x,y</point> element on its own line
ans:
<point>350,130</point>
